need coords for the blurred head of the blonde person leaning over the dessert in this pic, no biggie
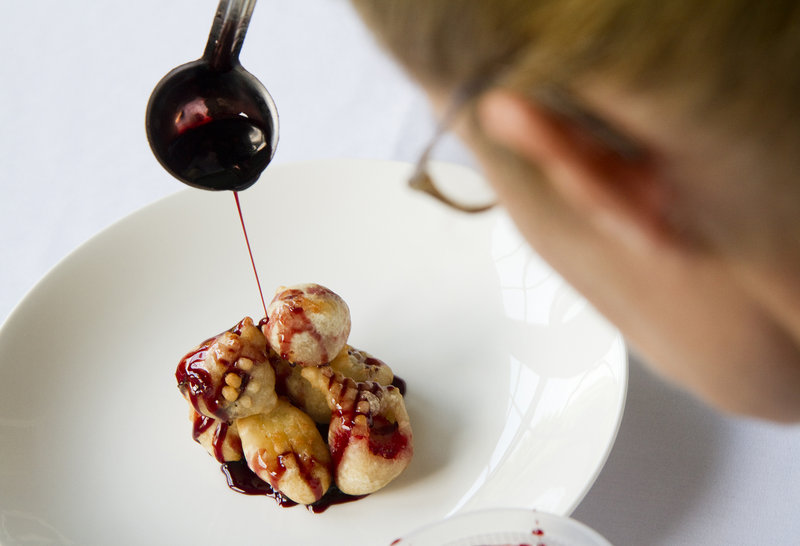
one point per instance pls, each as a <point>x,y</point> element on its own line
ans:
<point>691,245</point>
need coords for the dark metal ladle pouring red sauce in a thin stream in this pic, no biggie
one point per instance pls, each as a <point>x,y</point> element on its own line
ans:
<point>211,123</point>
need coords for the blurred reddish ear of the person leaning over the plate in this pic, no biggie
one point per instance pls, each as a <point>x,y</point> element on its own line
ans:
<point>623,194</point>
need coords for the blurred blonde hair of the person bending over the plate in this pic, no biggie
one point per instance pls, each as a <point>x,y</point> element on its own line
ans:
<point>735,62</point>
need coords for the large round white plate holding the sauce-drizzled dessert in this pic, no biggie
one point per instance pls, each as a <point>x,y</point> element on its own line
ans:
<point>515,385</point>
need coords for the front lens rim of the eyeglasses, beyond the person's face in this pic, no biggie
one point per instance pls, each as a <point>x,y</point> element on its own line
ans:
<point>421,179</point>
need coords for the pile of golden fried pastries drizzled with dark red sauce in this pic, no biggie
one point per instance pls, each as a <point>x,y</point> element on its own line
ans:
<point>306,412</point>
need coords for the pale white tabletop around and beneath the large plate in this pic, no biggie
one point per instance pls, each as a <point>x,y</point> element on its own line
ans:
<point>74,82</point>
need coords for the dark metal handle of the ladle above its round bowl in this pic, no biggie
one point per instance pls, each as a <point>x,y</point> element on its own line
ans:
<point>227,33</point>
